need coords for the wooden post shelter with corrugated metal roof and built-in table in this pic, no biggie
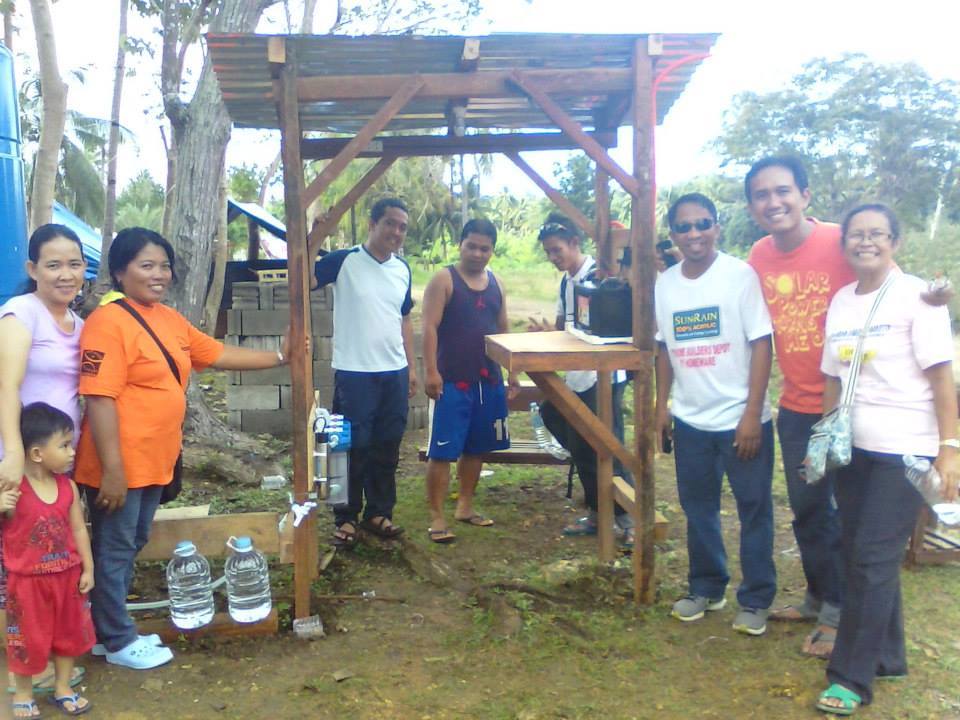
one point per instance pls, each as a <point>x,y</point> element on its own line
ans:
<point>504,93</point>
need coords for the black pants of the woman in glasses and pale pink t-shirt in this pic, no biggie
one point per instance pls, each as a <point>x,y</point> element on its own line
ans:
<point>878,510</point>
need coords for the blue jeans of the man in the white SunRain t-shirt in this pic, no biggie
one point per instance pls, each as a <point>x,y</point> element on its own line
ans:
<point>702,457</point>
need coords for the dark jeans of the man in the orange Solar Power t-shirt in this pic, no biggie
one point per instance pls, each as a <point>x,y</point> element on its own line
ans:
<point>816,523</point>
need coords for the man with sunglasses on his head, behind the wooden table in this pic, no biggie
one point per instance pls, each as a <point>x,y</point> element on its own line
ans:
<point>561,243</point>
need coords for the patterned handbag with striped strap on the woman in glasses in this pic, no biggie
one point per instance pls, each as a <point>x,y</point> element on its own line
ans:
<point>831,437</point>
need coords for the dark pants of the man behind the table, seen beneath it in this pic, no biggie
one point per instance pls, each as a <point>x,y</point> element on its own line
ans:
<point>583,455</point>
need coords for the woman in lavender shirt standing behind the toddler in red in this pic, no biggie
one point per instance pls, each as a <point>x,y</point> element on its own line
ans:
<point>40,352</point>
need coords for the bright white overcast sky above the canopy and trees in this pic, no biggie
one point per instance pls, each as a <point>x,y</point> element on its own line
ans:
<point>762,46</point>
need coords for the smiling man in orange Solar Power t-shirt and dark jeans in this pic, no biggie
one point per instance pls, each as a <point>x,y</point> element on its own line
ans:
<point>801,267</point>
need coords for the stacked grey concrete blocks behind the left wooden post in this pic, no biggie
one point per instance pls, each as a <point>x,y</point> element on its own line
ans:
<point>260,400</point>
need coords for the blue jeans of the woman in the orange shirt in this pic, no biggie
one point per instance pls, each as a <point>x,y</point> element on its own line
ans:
<point>117,537</point>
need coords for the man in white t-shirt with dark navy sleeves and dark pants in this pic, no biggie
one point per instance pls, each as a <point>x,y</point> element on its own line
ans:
<point>374,366</point>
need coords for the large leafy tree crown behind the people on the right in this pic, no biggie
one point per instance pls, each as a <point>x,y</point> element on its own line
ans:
<point>866,131</point>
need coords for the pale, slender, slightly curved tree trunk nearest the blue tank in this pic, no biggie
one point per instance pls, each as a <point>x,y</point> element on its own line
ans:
<point>54,92</point>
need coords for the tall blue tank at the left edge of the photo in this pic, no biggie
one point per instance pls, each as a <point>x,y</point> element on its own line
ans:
<point>13,206</point>
